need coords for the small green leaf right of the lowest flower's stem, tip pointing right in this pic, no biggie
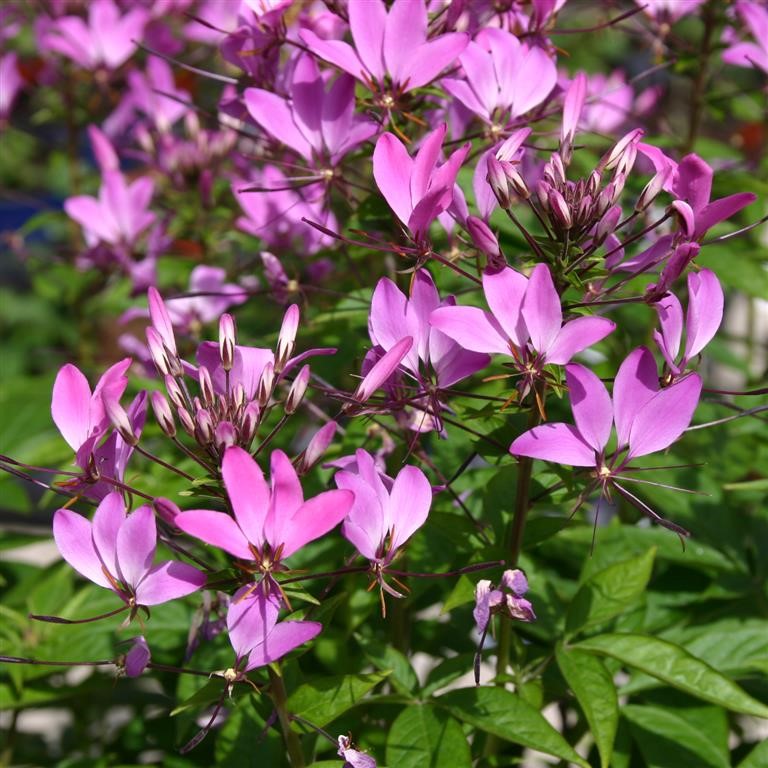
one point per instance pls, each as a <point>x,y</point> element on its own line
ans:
<point>323,700</point>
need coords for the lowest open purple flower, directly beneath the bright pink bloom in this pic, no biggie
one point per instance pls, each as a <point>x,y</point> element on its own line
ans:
<point>255,632</point>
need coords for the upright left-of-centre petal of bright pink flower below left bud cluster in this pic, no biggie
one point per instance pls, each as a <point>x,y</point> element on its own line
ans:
<point>248,492</point>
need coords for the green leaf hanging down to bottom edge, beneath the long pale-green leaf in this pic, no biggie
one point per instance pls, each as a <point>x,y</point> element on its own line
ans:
<point>593,687</point>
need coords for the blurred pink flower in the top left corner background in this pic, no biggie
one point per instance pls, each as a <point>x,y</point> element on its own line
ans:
<point>107,40</point>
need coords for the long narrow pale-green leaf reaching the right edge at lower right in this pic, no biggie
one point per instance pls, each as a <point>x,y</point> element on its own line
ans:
<point>676,667</point>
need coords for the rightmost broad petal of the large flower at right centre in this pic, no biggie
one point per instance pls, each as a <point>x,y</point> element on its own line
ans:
<point>664,417</point>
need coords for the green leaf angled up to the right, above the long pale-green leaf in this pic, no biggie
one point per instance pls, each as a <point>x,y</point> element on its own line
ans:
<point>610,592</point>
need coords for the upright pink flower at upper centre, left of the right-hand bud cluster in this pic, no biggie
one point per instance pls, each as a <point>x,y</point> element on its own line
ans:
<point>417,189</point>
